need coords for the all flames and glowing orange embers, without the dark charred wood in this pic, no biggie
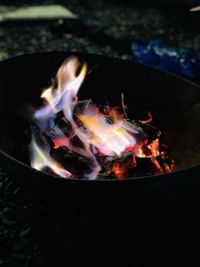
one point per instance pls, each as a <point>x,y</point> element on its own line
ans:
<point>106,132</point>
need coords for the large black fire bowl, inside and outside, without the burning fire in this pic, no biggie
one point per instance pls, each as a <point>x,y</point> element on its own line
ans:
<point>156,213</point>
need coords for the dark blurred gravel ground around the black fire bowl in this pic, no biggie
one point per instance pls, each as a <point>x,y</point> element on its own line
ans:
<point>105,27</point>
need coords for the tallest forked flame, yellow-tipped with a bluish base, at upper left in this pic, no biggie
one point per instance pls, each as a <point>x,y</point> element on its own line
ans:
<point>62,97</point>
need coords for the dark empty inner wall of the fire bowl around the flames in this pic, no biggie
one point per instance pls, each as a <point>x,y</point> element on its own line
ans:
<point>173,102</point>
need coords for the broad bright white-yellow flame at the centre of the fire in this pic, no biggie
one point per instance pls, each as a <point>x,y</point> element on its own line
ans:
<point>110,139</point>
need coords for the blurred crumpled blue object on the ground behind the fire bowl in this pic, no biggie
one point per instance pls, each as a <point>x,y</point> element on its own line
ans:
<point>183,62</point>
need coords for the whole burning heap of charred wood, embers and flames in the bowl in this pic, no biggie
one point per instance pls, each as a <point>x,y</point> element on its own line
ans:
<point>78,139</point>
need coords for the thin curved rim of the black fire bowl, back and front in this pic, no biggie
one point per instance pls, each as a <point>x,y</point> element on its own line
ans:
<point>82,55</point>
